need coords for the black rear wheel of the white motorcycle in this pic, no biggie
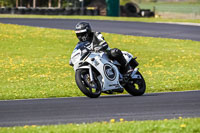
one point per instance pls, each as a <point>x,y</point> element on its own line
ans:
<point>136,87</point>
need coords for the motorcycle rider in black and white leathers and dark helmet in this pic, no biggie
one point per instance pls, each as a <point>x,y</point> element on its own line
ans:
<point>84,33</point>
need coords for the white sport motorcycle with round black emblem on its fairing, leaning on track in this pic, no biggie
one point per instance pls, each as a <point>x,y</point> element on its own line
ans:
<point>95,73</point>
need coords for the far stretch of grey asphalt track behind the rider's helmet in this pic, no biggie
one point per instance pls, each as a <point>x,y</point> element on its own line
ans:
<point>120,27</point>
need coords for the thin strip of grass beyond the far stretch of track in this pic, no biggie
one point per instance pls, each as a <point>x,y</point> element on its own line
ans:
<point>141,19</point>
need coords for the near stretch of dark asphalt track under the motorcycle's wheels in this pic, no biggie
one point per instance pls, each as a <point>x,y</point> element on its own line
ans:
<point>82,109</point>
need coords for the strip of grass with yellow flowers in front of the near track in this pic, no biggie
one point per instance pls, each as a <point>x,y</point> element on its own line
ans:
<point>165,126</point>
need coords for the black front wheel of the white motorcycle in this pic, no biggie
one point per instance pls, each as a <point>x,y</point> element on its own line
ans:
<point>90,89</point>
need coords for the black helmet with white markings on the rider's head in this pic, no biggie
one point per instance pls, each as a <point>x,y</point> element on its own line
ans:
<point>83,31</point>
